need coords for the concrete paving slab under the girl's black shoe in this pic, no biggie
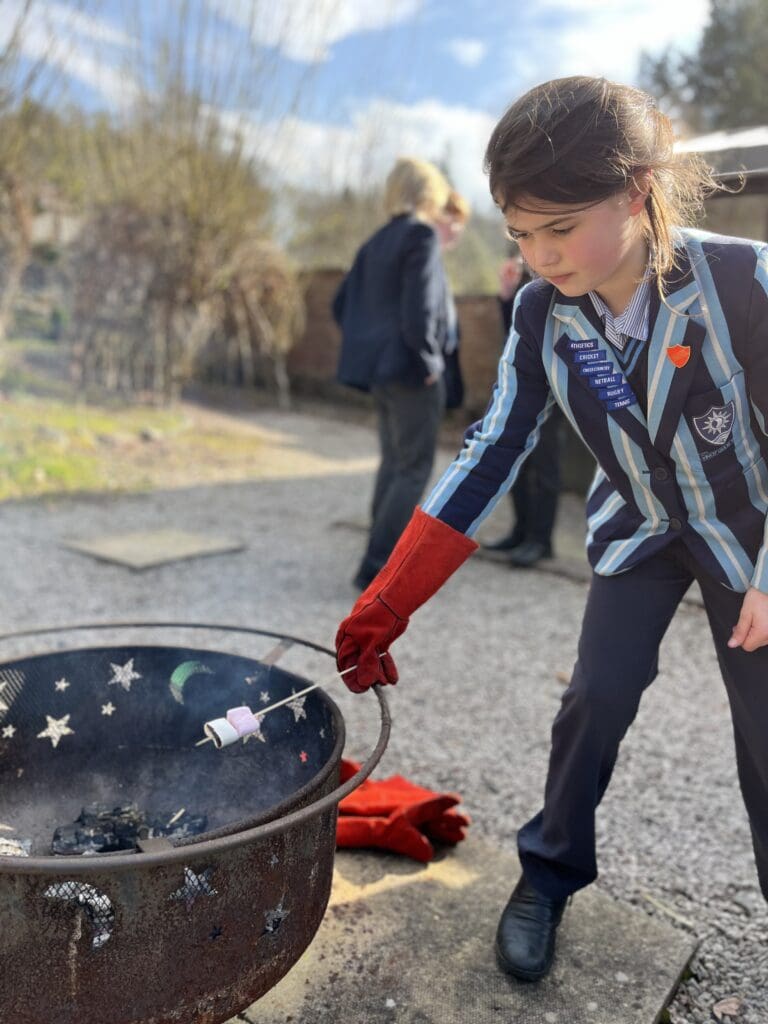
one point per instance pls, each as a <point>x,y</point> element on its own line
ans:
<point>404,944</point>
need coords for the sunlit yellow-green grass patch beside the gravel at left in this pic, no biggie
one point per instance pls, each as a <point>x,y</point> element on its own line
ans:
<point>52,442</point>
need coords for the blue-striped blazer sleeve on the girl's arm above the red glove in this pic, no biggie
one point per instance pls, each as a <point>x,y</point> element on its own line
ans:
<point>497,447</point>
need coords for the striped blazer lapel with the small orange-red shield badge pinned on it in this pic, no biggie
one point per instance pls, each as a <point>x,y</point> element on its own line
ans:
<point>675,347</point>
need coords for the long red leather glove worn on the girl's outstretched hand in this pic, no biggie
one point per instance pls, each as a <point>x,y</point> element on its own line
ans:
<point>426,556</point>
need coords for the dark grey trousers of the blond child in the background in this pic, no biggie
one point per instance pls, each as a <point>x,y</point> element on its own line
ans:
<point>409,424</point>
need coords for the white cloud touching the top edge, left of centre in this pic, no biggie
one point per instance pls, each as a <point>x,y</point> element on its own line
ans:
<point>306,30</point>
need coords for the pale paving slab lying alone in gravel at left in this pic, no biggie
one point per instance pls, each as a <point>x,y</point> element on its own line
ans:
<point>145,549</point>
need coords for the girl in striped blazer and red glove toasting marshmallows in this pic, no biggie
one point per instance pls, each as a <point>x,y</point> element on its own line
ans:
<point>653,338</point>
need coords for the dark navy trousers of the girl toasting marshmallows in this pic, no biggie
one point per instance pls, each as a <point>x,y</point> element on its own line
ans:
<point>626,618</point>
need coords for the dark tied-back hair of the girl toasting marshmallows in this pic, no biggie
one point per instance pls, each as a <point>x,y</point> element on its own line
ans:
<point>583,140</point>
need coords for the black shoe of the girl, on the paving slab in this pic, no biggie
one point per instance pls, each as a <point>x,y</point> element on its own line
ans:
<point>526,940</point>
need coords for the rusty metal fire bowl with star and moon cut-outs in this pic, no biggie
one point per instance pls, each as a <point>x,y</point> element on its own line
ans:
<point>185,931</point>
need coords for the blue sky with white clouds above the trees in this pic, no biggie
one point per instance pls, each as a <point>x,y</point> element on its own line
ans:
<point>380,78</point>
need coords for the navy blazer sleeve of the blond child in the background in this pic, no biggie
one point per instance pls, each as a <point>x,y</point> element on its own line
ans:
<point>422,297</point>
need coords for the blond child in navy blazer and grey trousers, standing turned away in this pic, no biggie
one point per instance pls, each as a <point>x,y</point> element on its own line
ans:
<point>393,312</point>
